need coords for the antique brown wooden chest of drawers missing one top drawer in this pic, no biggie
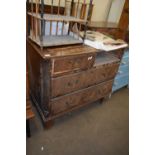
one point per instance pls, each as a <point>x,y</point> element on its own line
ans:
<point>65,78</point>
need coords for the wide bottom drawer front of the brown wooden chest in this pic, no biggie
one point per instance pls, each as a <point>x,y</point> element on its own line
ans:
<point>84,96</point>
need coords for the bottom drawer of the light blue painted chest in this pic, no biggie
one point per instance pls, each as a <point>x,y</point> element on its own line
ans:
<point>120,82</point>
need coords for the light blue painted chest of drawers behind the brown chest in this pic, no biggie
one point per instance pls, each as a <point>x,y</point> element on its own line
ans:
<point>122,77</point>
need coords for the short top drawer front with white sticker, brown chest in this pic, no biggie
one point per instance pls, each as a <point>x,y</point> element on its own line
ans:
<point>61,66</point>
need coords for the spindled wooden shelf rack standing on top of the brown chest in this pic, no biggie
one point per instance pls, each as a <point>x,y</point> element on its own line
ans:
<point>57,27</point>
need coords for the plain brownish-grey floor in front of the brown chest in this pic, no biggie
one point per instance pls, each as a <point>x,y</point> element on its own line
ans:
<point>98,129</point>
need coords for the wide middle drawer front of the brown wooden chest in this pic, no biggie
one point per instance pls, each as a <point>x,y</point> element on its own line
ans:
<point>72,82</point>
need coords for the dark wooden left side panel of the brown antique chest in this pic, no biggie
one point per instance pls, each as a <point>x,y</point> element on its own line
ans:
<point>39,77</point>
